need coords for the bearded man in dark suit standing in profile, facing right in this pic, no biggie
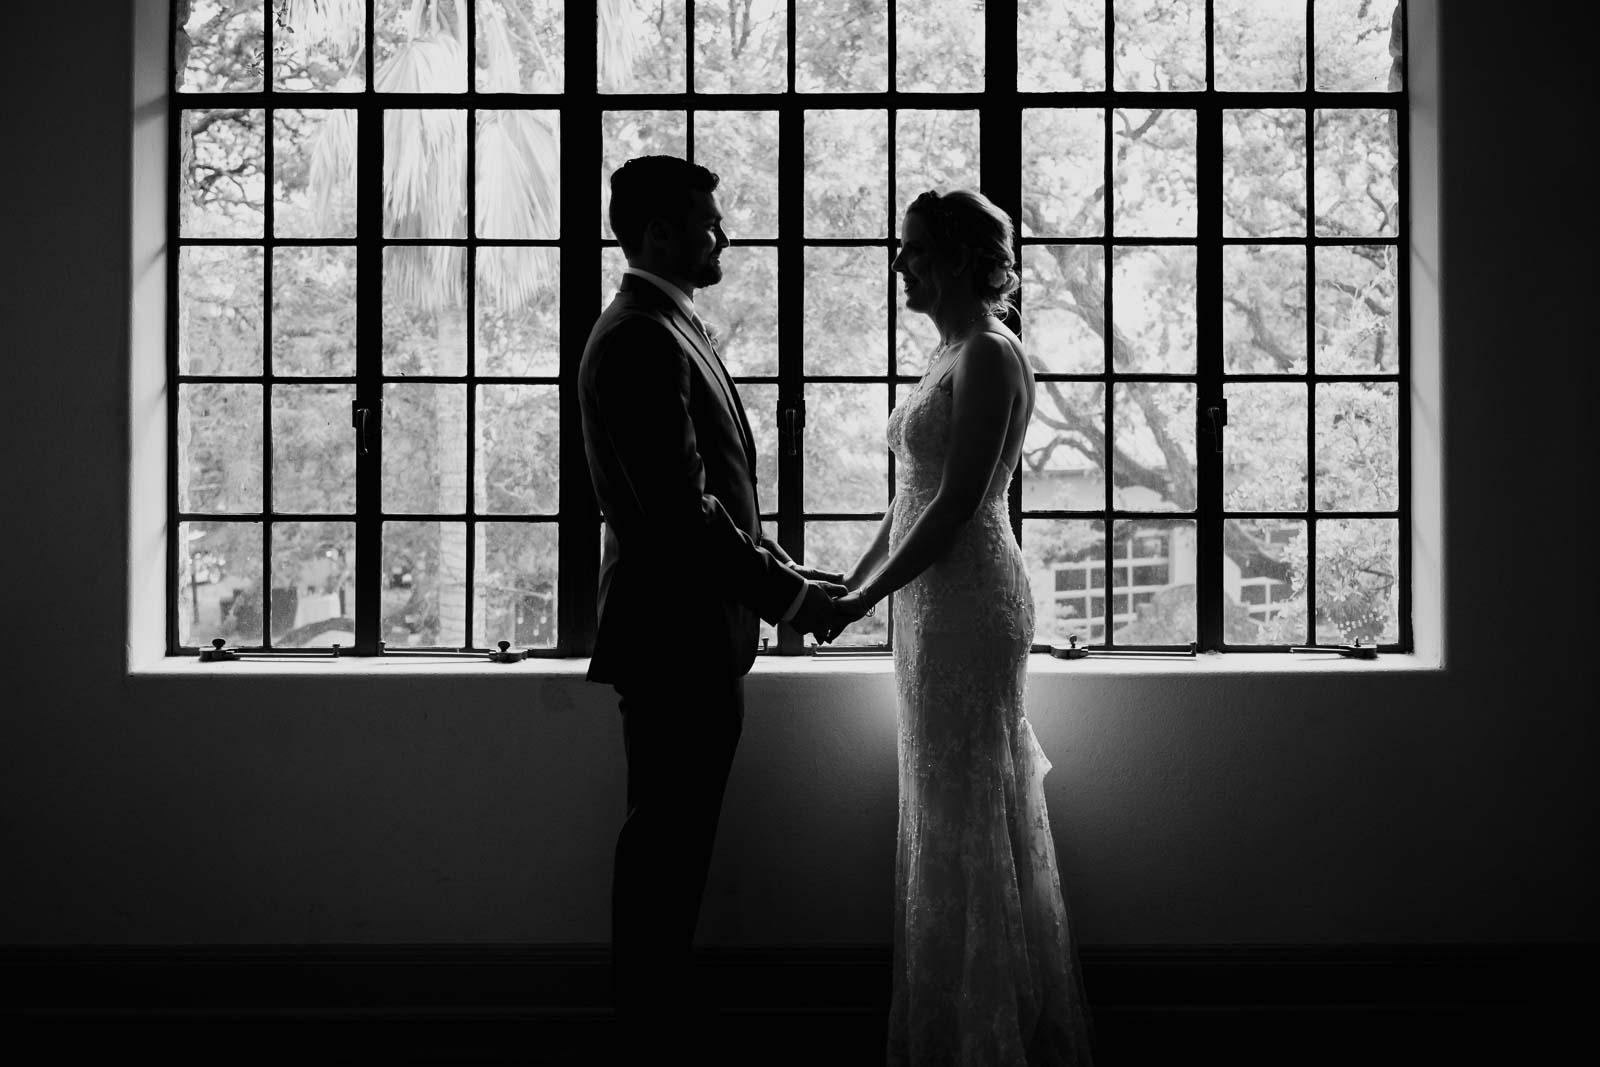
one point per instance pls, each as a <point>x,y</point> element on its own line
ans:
<point>686,572</point>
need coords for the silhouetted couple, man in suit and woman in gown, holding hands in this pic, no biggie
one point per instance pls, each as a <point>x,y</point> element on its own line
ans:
<point>985,969</point>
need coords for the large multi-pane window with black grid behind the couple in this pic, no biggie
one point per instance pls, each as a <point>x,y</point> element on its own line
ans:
<point>390,239</point>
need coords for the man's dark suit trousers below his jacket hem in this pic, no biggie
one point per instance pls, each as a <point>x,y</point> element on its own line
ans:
<point>681,737</point>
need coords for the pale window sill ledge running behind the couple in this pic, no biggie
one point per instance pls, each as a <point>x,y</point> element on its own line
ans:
<point>794,668</point>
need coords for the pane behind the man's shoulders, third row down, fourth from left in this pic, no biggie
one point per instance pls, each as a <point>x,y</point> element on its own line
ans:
<point>519,313</point>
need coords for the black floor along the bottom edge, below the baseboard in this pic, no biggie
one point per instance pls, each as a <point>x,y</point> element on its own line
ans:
<point>1124,1039</point>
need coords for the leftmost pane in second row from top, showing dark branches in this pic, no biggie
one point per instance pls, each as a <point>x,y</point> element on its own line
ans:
<point>225,182</point>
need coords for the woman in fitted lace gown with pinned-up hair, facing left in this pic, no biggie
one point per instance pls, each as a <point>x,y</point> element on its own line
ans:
<point>985,965</point>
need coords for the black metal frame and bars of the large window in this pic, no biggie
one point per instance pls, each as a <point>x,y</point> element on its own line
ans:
<point>1001,110</point>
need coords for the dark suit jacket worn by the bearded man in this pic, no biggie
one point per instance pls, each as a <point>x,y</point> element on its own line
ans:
<point>686,569</point>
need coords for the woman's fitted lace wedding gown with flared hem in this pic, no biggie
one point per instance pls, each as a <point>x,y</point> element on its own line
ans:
<point>985,967</point>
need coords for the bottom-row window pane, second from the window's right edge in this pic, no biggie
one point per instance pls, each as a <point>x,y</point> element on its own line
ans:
<point>1265,581</point>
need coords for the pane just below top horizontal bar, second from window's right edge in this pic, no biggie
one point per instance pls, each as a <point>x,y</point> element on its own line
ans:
<point>1265,174</point>
